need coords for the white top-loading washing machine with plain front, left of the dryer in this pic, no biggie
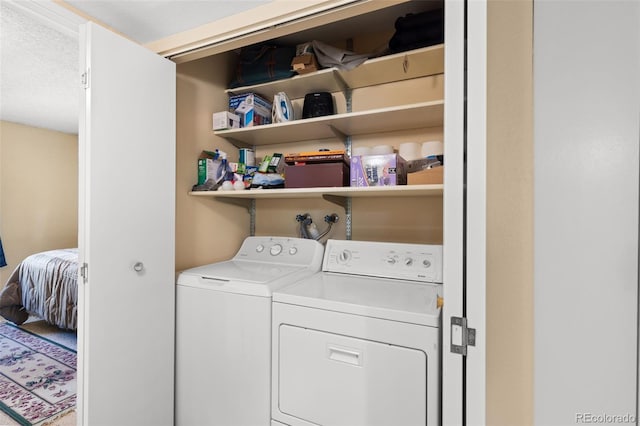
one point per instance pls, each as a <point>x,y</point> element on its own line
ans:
<point>223,330</point>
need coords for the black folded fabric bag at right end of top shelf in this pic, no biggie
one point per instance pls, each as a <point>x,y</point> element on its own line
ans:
<point>418,30</point>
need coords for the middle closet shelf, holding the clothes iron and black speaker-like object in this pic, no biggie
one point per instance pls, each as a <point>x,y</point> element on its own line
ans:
<point>413,116</point>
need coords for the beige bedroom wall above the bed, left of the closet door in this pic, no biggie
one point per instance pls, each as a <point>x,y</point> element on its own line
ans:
<point>38,192</point>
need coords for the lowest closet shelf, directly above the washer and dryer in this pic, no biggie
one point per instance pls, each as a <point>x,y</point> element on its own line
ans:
<point>383,191</point>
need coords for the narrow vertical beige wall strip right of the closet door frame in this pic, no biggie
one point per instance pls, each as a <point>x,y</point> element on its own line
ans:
<point>510,213</point>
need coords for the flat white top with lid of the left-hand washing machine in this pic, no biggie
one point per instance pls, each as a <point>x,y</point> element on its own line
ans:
<point>244,277</point>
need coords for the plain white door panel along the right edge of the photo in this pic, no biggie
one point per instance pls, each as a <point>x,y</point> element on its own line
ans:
<point>587,166</point>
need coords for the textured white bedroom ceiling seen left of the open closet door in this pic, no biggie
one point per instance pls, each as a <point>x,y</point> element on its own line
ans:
<point>39,71</point>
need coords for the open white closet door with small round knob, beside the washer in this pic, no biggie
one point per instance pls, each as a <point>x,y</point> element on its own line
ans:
<point>127,233</point>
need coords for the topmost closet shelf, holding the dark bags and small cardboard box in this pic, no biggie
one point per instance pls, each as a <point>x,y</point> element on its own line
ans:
<point>385,69</point>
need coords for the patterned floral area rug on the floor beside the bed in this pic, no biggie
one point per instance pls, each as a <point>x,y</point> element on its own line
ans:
<point>37,377</point>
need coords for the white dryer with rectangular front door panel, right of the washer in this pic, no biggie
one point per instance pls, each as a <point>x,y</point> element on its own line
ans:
<point>359,342</point>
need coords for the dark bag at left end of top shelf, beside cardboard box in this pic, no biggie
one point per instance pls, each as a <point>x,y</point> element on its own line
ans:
<point>262,63</point>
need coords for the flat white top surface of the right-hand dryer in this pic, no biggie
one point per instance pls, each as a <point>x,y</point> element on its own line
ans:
<point>396,300</point>
